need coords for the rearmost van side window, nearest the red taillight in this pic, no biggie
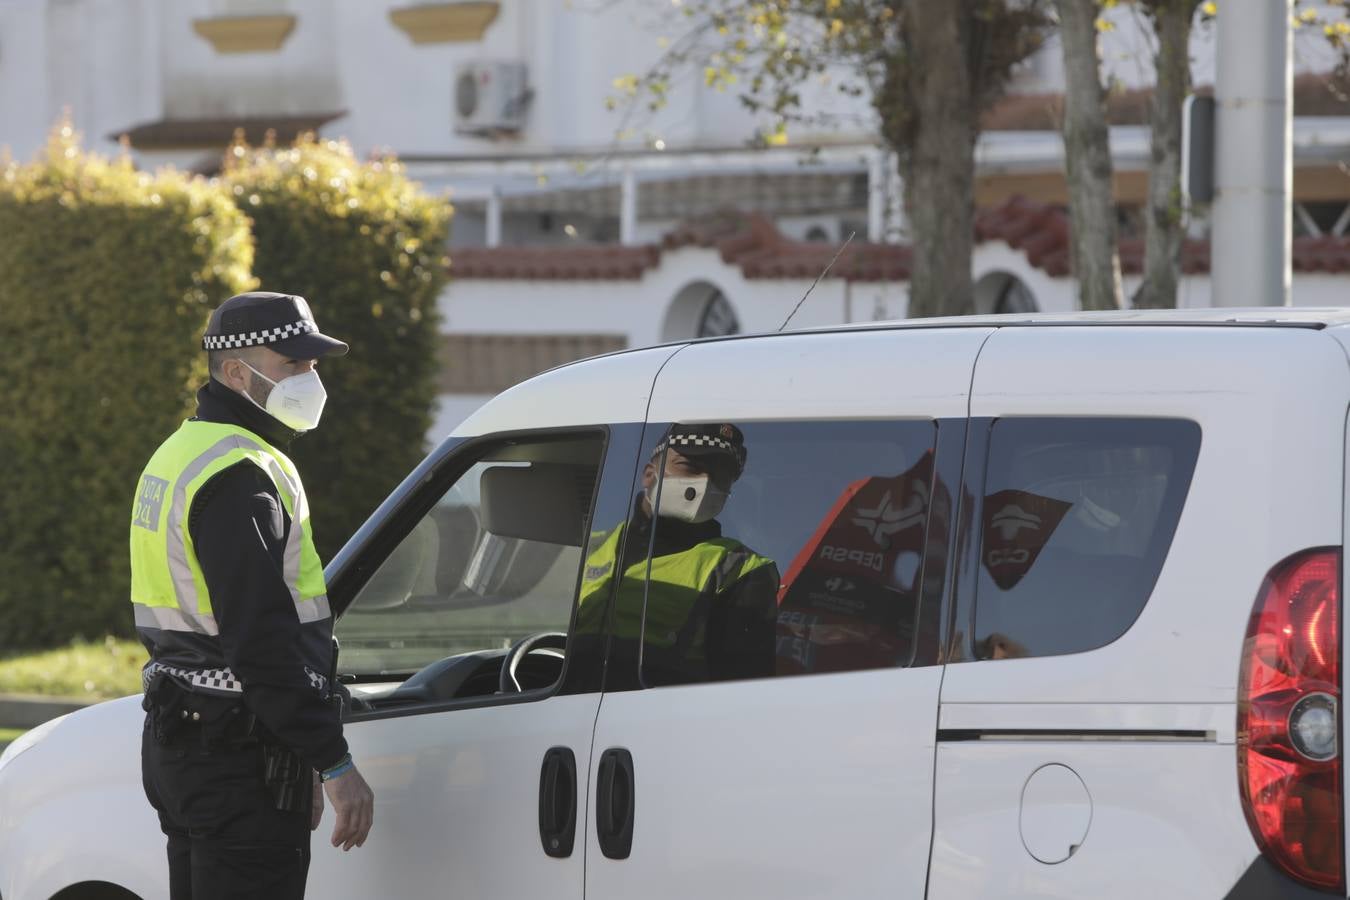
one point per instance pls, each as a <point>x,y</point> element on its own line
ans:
<point>1077,522</point>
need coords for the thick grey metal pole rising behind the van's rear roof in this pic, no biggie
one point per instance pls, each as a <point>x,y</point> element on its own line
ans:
<point>1253,219</point>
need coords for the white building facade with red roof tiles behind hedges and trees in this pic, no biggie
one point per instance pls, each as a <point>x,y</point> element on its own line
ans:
<point>500,106</point>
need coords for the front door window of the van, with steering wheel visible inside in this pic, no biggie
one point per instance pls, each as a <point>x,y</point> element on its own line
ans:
<point>495,561</point>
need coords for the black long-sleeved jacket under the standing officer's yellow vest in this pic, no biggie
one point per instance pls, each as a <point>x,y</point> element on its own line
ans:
<point>240,528</point>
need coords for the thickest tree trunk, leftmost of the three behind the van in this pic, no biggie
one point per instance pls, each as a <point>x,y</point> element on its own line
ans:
<point>938,165</point>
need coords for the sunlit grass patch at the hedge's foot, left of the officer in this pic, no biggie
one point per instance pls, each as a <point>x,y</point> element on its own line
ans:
<point>83,671</point>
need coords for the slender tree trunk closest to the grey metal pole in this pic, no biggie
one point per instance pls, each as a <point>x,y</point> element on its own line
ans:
<point>1163,223</point>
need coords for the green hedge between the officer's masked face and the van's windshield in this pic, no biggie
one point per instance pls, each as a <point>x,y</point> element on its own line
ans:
<point>367,248</point>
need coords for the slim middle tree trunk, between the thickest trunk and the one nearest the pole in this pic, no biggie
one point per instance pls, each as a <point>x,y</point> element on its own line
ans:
<point>1093,246</point>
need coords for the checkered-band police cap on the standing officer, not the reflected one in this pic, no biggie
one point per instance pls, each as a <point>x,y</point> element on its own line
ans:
<point>263,319</point>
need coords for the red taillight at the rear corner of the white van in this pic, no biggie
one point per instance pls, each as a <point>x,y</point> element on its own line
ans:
<point>1290,720</point>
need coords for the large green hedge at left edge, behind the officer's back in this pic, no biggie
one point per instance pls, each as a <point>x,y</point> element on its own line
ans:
<point>106,281</point>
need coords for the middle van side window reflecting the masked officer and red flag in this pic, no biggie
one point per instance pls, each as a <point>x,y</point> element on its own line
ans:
<point>774,549</point>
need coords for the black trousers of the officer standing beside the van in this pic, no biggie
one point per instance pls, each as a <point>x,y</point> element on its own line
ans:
<point>227,841</point>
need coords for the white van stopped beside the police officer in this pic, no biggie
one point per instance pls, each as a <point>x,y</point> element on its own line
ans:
<point>1056,615</point>
